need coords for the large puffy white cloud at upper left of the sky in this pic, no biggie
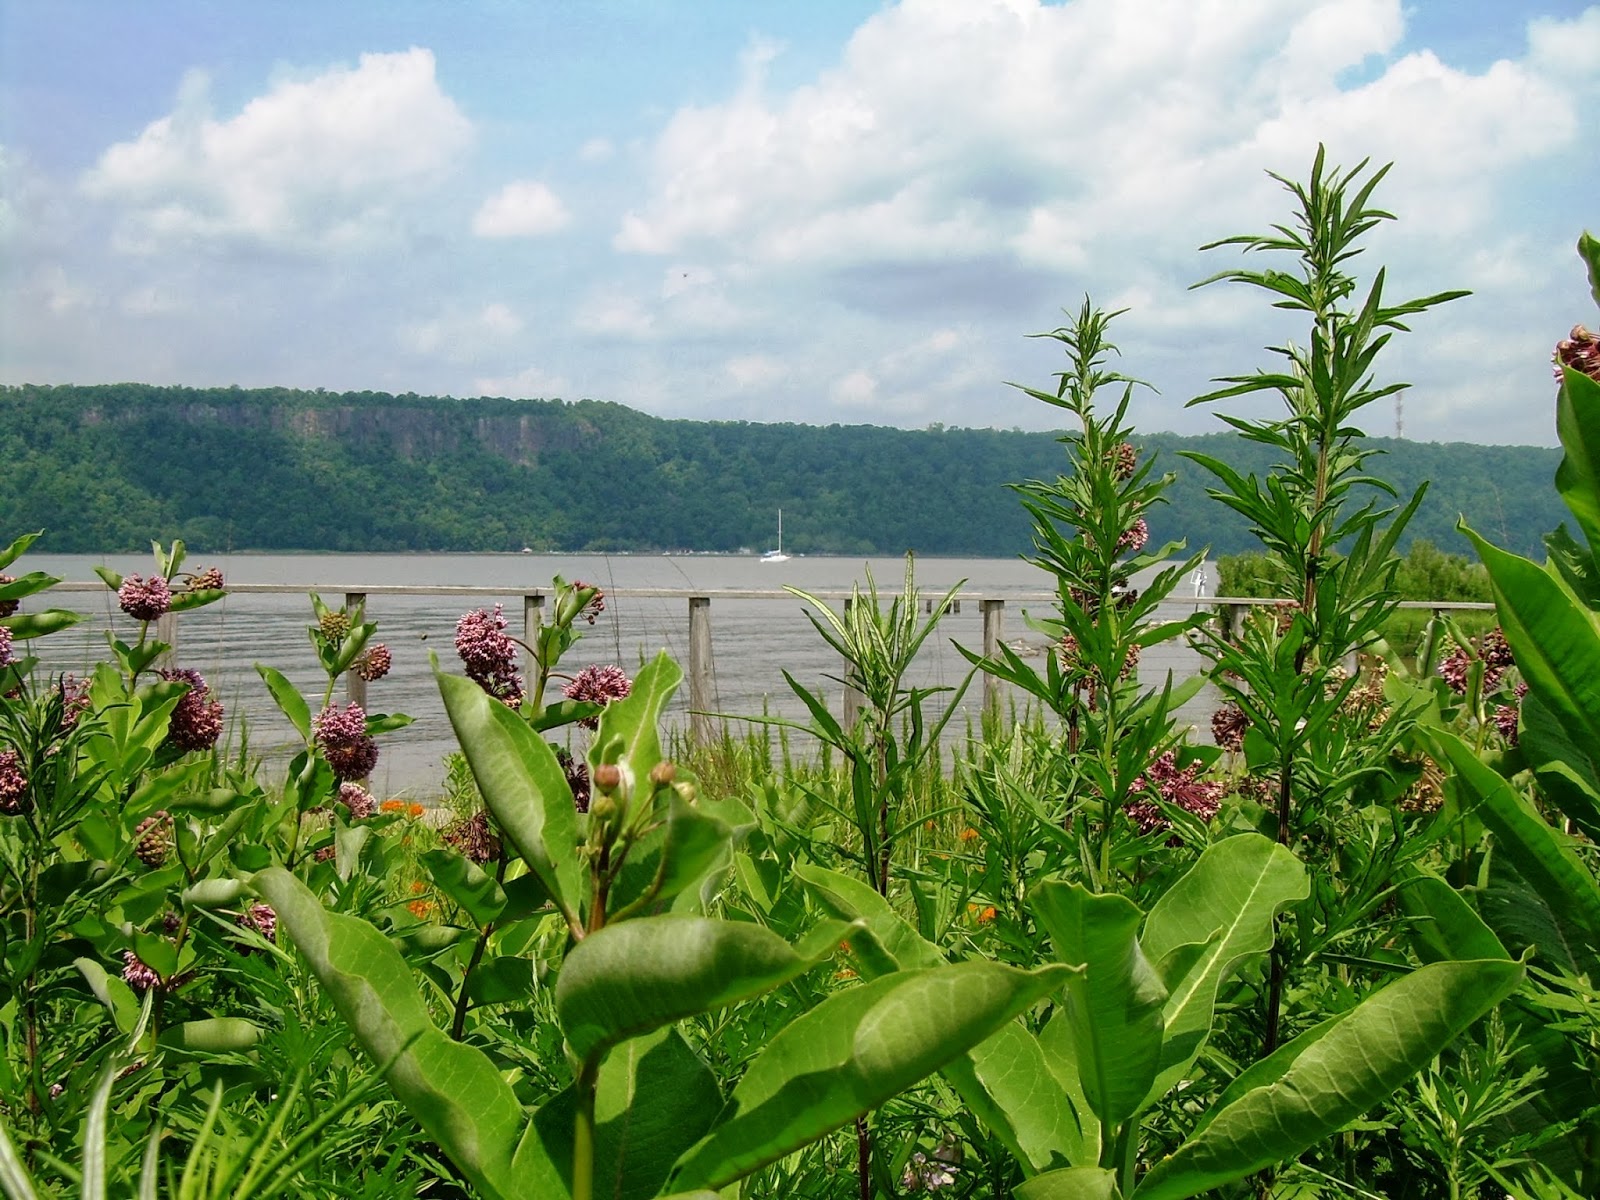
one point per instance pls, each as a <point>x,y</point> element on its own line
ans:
<point>322,162</point>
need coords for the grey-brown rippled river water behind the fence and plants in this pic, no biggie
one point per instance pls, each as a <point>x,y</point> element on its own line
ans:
<point>753,641</point>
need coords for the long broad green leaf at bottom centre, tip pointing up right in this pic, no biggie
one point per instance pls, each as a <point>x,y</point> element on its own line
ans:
<point>854,1052</point>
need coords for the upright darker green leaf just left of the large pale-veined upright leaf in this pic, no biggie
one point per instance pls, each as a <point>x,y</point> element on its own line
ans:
<point>1116,1004</point>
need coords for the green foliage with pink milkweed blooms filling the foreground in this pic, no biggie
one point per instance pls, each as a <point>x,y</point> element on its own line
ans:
<point>1351,948</point>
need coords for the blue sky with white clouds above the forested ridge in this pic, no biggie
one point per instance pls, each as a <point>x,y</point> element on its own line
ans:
<point>825,212</point>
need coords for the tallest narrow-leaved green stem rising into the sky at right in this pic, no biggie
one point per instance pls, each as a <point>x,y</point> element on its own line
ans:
<point>1318,514</point>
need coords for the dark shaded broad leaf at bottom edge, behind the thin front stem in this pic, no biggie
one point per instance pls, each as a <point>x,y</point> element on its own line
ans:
<point>655,1100</point>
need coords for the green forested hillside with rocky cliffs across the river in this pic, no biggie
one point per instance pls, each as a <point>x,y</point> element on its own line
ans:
<point>108,468</point>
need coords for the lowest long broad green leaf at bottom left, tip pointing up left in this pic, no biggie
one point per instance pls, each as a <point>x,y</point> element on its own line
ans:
<point>454,1090</point>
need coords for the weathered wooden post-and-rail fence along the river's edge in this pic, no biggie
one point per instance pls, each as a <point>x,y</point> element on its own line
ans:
<point>698,670</point>
